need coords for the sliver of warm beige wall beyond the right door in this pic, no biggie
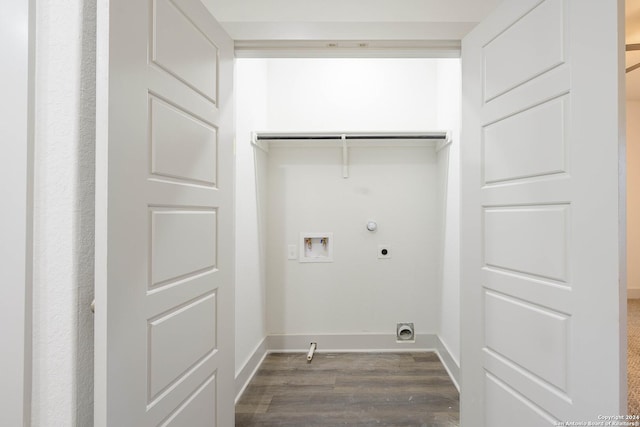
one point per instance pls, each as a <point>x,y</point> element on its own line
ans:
<point>633,198</point>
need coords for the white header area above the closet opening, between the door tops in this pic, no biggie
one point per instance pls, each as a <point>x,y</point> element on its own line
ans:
<point>349,19</point>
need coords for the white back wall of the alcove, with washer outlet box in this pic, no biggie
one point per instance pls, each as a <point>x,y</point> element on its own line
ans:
<point>357,293</point>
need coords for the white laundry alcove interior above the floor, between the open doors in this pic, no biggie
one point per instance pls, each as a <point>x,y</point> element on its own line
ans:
<point>326,148</point>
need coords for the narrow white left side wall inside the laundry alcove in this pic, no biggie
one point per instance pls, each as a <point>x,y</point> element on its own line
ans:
<point>251,104</point>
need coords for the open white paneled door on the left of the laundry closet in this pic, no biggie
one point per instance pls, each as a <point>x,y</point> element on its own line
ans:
<point>164,214</point>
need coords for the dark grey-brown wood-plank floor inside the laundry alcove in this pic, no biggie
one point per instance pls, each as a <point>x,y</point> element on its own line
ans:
<point>350,389</point>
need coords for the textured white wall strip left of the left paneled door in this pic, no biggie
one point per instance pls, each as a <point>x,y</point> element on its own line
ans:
<point>64,213</point>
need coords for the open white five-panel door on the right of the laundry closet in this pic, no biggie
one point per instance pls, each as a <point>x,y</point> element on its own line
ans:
<point>541,291</point>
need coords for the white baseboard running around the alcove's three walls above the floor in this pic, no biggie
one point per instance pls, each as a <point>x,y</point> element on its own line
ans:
<point>343,344</point>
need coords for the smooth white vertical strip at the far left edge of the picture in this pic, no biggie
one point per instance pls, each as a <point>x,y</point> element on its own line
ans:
<point>17,171</point>
